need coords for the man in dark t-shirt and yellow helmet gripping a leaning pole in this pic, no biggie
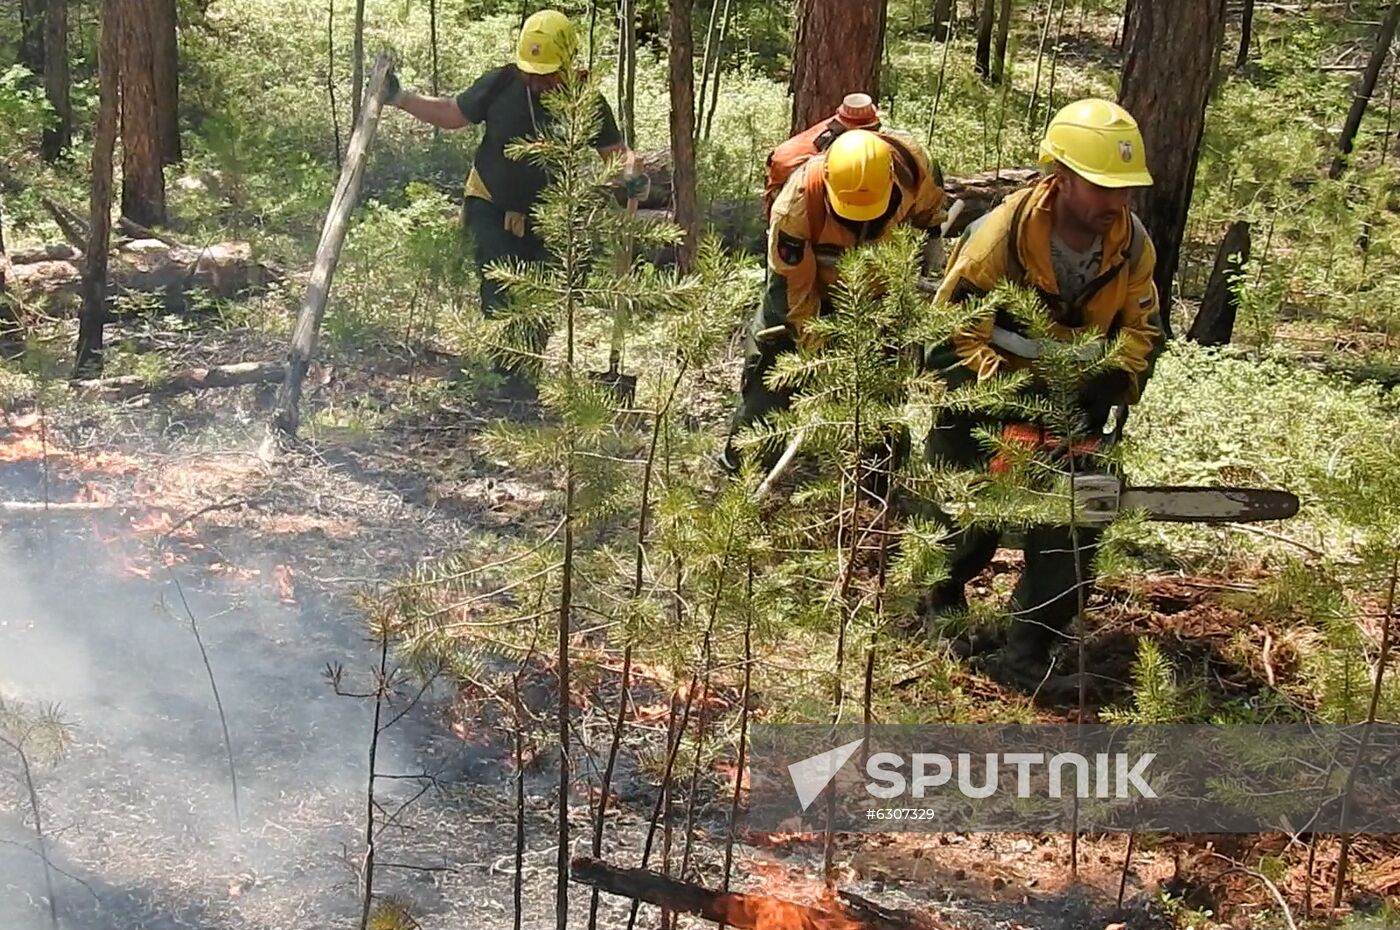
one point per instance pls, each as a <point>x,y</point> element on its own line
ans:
<point>502,191</point>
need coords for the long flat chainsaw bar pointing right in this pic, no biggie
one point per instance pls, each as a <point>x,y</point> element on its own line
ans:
<point>1102,499</point>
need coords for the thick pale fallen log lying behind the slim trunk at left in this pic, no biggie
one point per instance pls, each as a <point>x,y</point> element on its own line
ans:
<point>145,267</point>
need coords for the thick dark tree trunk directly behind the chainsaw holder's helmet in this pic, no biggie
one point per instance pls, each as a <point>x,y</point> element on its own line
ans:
<point>1170,60</point>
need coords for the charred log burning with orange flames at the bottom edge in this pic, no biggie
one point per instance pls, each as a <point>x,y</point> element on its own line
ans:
<point>745,911</point>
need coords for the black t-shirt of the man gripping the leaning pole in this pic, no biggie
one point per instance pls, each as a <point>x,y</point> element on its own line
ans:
<point>505,104</point>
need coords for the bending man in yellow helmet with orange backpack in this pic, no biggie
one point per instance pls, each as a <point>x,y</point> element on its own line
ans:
<point>859,191</point>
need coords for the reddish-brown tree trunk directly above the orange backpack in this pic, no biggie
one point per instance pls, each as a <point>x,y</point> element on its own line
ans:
<point>836,51</point>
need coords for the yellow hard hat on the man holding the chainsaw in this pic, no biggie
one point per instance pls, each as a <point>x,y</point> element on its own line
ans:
<point>1098,141</point>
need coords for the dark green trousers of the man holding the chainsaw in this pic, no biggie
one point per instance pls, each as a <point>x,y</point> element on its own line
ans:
<point>1046,597</point>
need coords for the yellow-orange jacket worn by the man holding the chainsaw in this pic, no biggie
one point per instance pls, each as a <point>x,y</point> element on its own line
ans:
<point>1013,243</point>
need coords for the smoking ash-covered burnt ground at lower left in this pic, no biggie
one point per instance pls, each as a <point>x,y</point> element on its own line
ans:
<point>272,561</point>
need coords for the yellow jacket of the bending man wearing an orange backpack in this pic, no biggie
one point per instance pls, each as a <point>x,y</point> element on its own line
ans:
<point>807,239</point>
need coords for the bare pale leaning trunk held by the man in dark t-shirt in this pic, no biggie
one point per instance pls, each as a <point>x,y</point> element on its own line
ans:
<point>286,417</point>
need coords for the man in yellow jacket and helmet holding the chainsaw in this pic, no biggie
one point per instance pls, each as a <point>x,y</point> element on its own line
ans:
<point>1073,239</point>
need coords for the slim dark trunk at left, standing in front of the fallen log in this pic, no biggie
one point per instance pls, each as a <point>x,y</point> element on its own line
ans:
<point>89,359</point>
